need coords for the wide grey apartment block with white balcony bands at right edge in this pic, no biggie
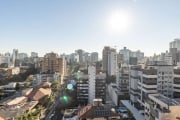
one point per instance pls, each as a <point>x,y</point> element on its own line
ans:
<point>158,78</point>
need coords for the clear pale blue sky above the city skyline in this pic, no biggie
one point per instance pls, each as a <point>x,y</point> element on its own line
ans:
<point>62,26</point>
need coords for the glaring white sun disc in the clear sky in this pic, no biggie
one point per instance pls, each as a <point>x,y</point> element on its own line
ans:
<point>119,21</point>
